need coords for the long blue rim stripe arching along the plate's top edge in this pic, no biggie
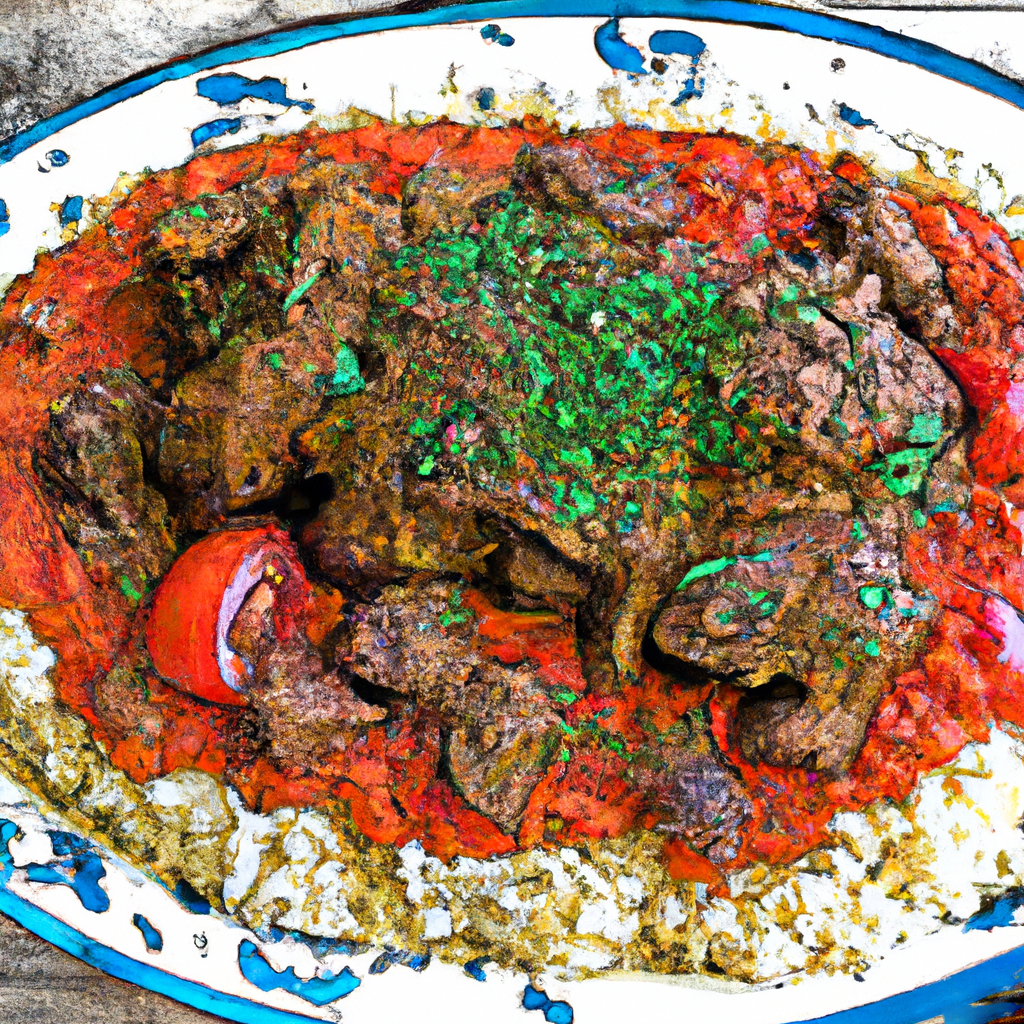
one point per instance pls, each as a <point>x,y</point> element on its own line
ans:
<point>809,24</point>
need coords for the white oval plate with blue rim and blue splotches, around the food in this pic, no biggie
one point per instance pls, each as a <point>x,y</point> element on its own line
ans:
<point>777,74</point>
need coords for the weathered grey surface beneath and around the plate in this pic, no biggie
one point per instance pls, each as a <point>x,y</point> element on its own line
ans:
<point>53,55</point>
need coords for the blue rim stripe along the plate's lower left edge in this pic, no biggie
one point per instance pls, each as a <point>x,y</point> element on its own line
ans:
<point>231,1008</point>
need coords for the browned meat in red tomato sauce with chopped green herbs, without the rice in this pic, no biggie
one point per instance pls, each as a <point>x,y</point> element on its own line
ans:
<point>508,489</point>
